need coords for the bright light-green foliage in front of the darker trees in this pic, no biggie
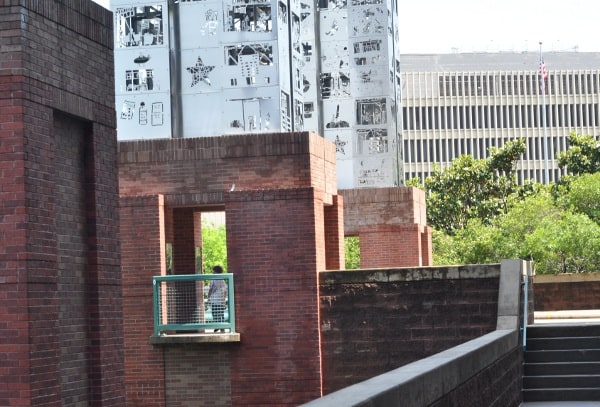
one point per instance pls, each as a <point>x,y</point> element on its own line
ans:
<point>557,238</point>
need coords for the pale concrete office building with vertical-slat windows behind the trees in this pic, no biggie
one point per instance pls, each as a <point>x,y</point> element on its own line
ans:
<point>456,104</point>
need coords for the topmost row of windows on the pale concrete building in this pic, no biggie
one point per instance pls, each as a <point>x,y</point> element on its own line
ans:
<point>517,84</point>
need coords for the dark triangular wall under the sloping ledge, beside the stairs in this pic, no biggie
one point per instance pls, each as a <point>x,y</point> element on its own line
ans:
<point>499,385</point>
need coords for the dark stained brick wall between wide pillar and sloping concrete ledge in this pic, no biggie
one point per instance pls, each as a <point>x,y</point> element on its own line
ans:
<point>373,321</point>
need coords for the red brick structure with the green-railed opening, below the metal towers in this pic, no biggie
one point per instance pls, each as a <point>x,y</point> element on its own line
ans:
<point>284,195</point>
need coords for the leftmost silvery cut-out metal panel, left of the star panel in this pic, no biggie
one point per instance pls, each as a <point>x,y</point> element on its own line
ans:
<point>142,76</point>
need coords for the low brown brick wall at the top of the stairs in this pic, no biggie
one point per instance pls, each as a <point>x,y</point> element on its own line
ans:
<point>566,292</point>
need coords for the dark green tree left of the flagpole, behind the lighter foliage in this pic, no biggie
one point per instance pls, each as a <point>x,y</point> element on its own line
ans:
<point>472,188</point>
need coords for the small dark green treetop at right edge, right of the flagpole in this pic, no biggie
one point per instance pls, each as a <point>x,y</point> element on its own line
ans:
<point>583,155</point>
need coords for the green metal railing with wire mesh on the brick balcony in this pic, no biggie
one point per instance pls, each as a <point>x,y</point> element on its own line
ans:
<point>181,304</point>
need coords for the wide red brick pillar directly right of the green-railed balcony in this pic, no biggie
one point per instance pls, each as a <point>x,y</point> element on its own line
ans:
<point>273,254</point>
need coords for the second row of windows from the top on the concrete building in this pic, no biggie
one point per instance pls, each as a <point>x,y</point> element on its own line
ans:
<point>499,117</point>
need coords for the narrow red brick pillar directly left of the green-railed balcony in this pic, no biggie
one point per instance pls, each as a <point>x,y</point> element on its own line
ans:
<point>142,257</point>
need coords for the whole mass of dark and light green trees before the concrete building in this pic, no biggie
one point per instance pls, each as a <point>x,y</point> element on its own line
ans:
<point>556,226</point>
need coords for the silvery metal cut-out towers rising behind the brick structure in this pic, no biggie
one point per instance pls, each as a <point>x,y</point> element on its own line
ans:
<point>247,66</point>
